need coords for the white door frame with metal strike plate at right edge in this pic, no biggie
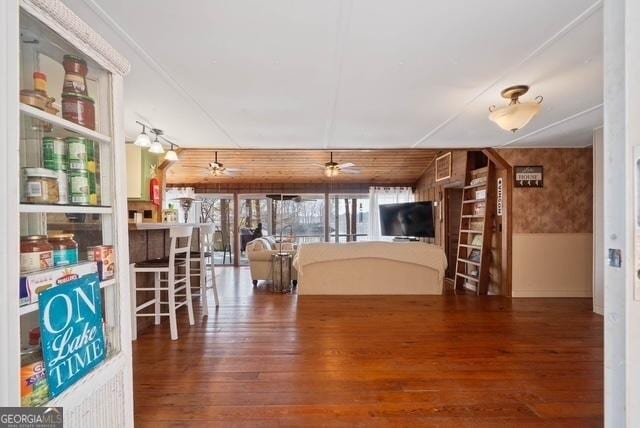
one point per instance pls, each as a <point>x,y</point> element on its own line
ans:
<point>621,137</point>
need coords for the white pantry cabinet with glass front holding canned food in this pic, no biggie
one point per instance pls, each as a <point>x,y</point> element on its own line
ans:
<point>40,33</point>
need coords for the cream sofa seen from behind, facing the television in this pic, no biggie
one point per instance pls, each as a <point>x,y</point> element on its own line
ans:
<point>370,268</point>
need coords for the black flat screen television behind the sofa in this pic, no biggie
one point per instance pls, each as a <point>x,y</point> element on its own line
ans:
<point>413,219</point>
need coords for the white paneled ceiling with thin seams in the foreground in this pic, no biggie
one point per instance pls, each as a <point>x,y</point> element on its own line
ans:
<point>355,74</point>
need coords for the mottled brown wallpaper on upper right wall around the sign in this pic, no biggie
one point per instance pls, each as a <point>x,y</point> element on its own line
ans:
<point>564,205</point>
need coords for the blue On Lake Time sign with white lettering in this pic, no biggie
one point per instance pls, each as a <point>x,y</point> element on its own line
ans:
<point>72,335</point>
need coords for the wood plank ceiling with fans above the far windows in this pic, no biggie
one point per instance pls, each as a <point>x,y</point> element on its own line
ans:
<point>403,166</point>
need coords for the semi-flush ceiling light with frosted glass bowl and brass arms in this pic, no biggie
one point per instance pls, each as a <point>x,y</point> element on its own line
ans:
<point>516,115</point>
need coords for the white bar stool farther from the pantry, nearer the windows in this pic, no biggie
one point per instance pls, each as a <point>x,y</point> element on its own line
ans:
<point>199,264</point>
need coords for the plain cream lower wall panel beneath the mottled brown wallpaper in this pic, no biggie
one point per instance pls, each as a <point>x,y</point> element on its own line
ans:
<point>552,265</point>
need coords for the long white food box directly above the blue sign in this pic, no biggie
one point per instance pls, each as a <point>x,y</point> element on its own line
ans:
<point>33,283</point>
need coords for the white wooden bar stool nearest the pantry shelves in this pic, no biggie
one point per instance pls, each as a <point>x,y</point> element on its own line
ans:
<point>179,257</point>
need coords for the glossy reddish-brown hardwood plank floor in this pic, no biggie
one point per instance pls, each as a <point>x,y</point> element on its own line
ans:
<point>283,360</point>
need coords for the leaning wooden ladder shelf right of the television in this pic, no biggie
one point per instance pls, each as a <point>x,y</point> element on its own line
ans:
<point>476,226</point>
